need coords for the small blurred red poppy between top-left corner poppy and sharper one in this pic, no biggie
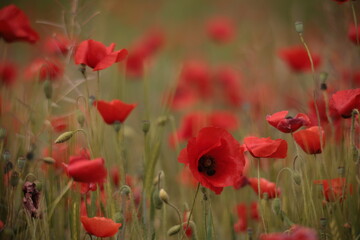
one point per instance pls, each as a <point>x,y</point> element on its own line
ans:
<point>57,45</point>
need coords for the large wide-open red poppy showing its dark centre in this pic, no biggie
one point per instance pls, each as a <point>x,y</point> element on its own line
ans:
<point>215,158</point>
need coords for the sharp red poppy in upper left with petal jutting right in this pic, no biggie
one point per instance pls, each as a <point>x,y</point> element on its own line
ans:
<point>97,56</point>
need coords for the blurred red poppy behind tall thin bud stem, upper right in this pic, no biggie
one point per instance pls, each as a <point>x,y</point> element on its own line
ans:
<point>297,58</point>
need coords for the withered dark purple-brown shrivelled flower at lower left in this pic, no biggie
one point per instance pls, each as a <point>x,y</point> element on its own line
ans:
<point>31,199</point>
